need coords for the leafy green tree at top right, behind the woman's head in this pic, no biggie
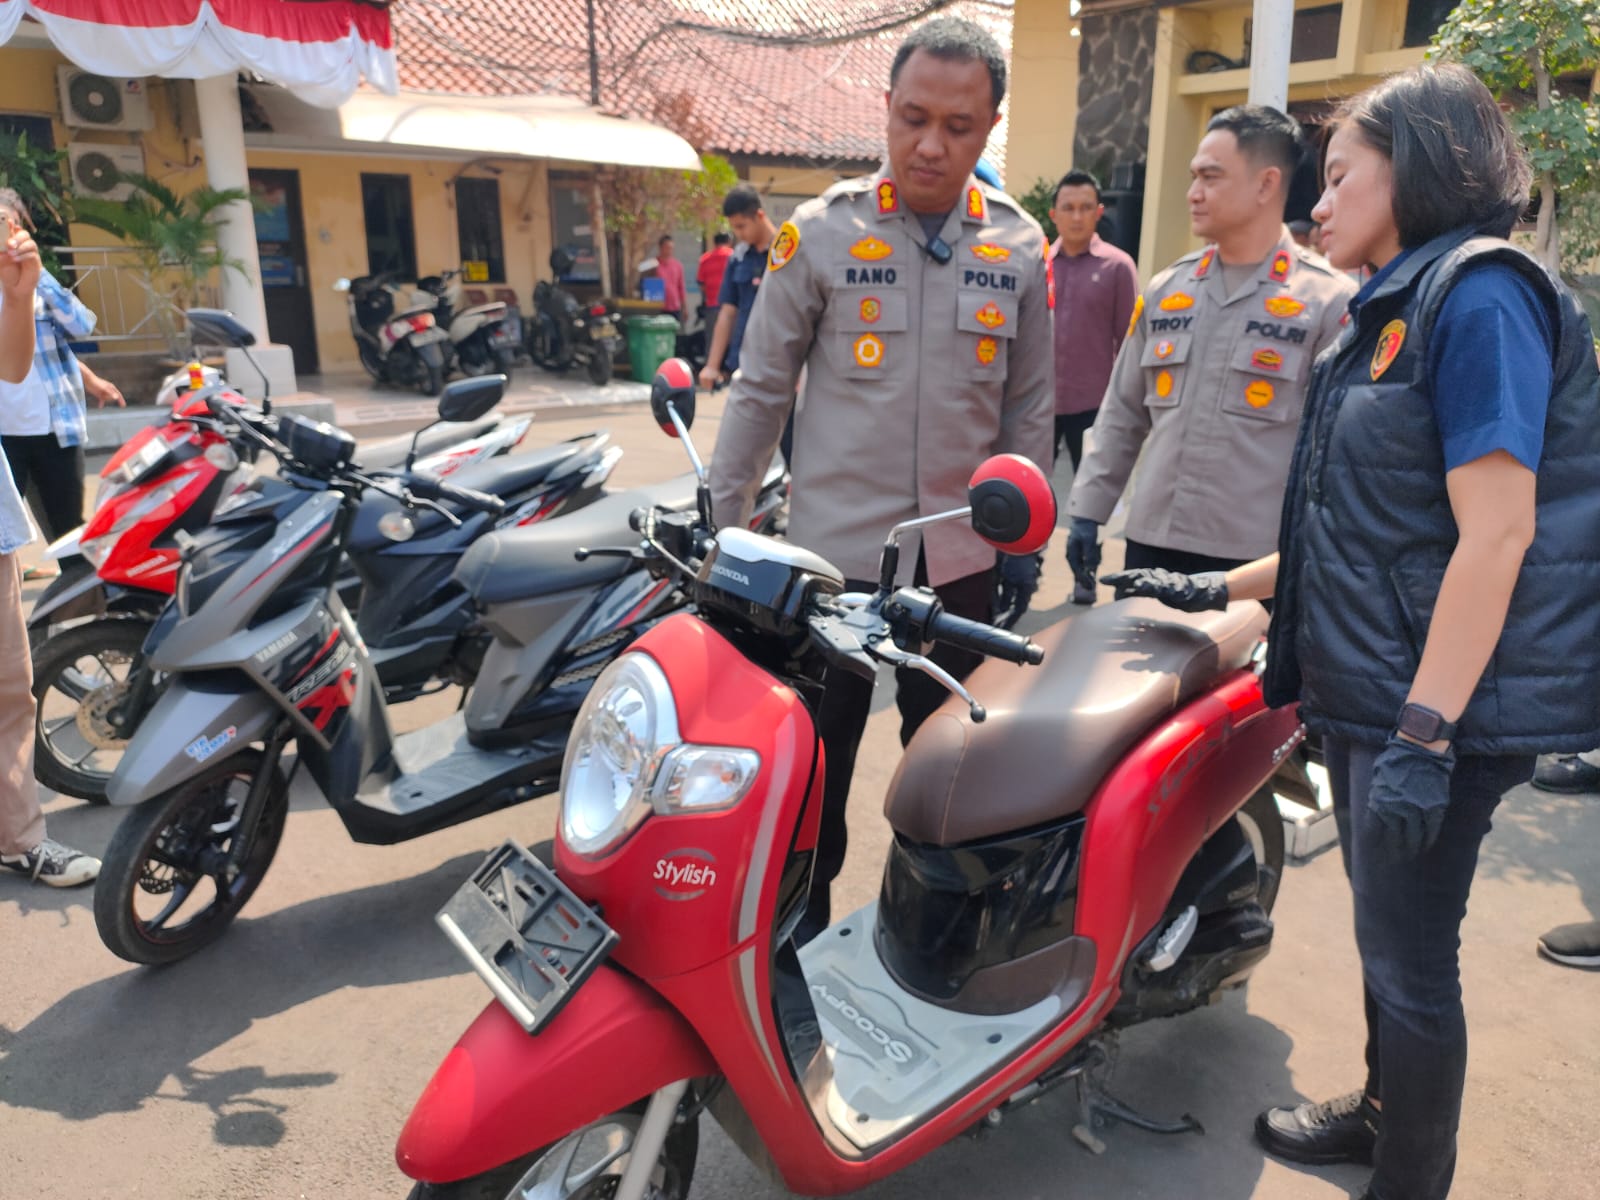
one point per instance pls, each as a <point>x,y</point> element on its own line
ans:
<point>1522,49</point>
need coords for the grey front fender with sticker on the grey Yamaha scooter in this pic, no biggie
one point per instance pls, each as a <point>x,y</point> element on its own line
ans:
<point>186,730</point>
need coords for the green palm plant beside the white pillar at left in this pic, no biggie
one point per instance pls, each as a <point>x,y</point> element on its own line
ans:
<point>172,238</point>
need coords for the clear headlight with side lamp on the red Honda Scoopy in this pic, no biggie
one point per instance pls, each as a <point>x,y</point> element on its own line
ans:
<point>625,761</point>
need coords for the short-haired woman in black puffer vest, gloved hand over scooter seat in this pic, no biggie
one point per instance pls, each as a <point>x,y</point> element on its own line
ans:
<point>1436,582</point>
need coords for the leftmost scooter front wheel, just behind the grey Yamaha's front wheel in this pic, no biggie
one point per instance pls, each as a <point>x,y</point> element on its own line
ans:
<point>79,676</point>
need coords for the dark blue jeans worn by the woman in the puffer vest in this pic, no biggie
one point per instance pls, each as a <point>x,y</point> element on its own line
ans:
<point>1409,932</point>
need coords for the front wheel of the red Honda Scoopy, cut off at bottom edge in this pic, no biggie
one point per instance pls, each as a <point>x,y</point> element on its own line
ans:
<point>585,1166</point>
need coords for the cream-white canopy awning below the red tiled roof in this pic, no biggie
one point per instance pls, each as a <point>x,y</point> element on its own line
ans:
<point>532,127</point>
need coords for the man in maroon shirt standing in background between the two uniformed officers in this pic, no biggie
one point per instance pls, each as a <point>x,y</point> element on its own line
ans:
<point>1094,287</point>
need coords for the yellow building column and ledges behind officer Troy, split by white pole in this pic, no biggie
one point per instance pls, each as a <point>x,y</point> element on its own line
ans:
<point>1370,34</point>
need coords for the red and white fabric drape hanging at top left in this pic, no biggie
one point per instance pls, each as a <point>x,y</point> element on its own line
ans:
<point>318,49</point>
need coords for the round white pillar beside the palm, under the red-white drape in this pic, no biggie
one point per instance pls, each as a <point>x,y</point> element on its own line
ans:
<point>223,138</point>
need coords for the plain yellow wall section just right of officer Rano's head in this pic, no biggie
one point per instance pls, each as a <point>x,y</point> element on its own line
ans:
<point>1044,100</point>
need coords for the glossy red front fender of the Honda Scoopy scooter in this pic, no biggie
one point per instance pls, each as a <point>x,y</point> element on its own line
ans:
<point>502,1094</point>
